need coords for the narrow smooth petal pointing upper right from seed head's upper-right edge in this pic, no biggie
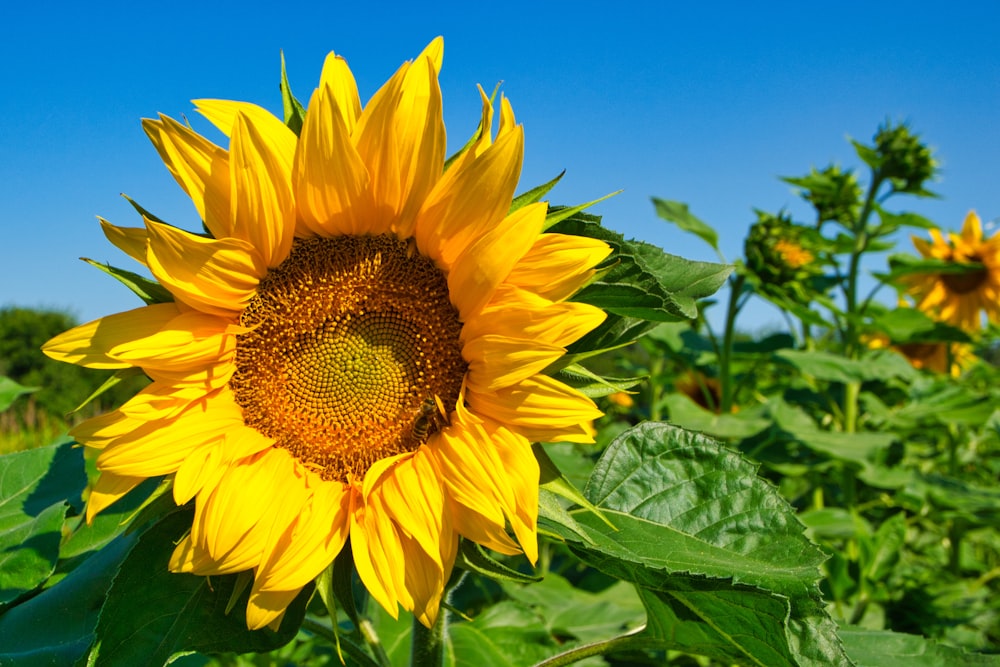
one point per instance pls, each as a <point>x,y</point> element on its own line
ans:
<point>486,263</point>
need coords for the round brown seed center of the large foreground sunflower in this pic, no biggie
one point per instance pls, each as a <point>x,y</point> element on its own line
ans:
<point>352,342</point>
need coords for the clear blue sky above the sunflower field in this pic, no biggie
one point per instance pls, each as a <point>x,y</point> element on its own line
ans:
<point>708,104</point>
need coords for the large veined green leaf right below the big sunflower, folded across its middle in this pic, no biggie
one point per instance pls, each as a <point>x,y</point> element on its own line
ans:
<point>694,521</point>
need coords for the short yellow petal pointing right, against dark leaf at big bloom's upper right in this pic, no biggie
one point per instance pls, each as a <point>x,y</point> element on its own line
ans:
<point>558,265</point>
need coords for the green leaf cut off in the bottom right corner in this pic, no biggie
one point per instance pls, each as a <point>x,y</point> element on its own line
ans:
<point>883,648</point>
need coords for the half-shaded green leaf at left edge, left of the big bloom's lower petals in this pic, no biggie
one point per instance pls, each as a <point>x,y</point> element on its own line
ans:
<point>35,488</point>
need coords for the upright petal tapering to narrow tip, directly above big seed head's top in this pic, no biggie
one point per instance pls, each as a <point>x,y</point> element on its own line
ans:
<point>329,178</point>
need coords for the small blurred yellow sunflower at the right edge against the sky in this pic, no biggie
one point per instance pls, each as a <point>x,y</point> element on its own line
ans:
<point>960,298</point>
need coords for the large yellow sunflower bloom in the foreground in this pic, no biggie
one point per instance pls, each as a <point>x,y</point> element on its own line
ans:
<point>354,350</point>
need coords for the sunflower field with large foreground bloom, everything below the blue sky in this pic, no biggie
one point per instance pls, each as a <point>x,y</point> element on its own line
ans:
<point>381,405</point>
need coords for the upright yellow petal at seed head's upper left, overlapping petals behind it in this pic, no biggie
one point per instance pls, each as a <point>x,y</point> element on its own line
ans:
<point>263,212</point>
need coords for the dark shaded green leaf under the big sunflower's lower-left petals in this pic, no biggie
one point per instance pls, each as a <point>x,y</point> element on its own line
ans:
<point>188,613</point>
